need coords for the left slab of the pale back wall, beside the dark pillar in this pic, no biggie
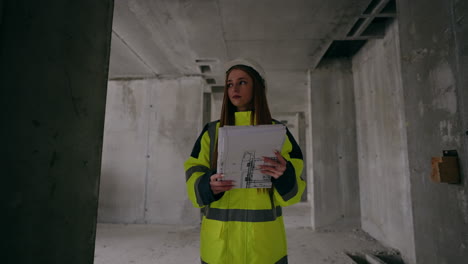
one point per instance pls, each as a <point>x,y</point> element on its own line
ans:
<point>124,154</point>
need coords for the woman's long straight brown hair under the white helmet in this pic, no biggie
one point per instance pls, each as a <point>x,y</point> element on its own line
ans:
<point>260,111</point>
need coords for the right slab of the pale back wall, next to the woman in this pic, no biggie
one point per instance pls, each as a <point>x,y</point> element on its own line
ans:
<point>175,123</point>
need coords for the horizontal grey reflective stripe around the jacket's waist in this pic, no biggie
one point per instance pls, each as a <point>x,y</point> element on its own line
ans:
<point>244,215</point>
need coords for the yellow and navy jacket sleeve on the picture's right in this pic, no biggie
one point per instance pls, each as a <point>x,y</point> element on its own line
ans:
<point>289,187</point>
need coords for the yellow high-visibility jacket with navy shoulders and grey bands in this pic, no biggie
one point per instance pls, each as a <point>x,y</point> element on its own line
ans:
<point>242,225</point>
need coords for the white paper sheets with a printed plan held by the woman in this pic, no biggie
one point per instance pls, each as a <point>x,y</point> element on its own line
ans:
<point>241,150</point>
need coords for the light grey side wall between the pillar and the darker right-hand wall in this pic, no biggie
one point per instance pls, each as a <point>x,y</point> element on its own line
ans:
<point>386,209</point>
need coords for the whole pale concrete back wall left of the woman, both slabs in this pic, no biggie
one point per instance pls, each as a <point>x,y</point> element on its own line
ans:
<point>151,126</point>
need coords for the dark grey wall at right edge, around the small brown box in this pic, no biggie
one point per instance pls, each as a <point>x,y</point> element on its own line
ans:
<point>433,54</point>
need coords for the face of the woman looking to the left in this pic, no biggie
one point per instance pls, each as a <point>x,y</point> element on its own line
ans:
<point>240,89</point>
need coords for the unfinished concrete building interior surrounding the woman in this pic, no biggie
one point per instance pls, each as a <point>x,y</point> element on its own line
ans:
<point>103,100</point>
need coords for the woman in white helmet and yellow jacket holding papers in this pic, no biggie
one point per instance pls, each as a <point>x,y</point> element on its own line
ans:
<point>243,225</point>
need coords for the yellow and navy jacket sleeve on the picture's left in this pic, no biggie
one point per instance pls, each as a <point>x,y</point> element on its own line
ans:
<point>198,172</point>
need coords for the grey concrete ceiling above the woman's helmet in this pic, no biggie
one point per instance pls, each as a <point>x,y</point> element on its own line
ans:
<point>171,38</point>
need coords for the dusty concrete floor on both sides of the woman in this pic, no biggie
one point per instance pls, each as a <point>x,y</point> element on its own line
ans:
<point>145,244</point>
